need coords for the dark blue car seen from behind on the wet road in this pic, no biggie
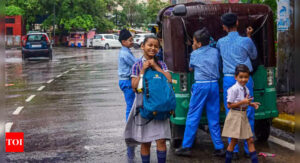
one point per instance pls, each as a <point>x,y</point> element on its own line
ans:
<point>36,45</point>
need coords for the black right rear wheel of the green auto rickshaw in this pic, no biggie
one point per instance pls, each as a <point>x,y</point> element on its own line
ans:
<point>262,128</point>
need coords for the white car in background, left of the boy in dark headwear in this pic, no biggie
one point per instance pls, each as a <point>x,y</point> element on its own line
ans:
<point>106,41</point>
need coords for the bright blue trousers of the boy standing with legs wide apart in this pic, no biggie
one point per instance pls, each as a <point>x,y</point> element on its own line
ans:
<point>204,94</point>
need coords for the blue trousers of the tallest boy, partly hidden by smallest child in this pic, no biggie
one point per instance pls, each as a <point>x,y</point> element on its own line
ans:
<point>229,81</point>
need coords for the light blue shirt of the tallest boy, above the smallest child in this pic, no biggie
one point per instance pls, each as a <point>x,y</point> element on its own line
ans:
<point>234,50</point>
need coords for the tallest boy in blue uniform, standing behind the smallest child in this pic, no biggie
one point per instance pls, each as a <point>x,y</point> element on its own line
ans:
<point>236,50</point>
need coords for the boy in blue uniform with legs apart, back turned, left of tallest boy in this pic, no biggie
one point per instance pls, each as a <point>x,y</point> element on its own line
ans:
<point>205,62</point>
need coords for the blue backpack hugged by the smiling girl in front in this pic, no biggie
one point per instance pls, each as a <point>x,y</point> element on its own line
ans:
<point>158,96</point>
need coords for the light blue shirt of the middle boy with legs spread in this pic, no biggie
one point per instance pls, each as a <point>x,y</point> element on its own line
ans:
<point>206,63</point>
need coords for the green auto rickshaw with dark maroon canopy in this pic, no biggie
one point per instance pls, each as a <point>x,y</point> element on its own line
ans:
<point>178,23</point>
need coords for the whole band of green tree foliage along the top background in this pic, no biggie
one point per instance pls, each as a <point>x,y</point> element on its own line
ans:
<point>86,14</point>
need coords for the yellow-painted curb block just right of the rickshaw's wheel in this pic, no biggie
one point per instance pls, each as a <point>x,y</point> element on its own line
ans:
<point>284,122</point>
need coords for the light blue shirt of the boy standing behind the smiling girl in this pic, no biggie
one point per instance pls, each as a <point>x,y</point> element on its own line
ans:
<point>126,60</point>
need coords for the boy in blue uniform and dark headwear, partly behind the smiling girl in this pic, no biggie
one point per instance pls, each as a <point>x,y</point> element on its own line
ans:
<point>126,60</point>
